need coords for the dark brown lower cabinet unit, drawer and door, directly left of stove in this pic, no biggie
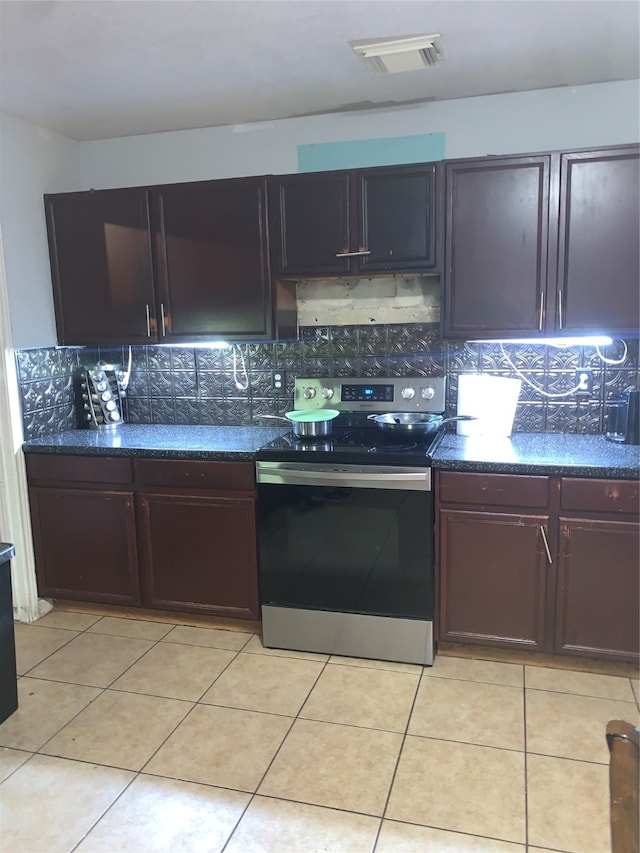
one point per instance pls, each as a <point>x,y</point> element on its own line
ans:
<point>197,536</point>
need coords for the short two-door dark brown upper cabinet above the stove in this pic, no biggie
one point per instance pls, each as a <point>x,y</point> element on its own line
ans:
<point>354,222</point>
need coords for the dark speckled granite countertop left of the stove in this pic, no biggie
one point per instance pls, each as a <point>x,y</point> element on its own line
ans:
<point>160,441</point>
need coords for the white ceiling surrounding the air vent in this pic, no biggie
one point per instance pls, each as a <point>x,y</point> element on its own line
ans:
<point>94,69</point>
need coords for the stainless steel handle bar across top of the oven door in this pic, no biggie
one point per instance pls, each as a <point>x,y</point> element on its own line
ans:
<point>374,479</point>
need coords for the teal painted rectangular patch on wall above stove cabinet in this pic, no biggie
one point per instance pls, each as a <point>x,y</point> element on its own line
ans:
<point>362,153</point>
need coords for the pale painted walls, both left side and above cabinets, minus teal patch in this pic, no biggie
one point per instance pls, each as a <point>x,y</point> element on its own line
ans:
<point>34,161</point>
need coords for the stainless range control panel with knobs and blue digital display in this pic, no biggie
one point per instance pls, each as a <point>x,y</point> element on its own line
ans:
<point>406,394</point>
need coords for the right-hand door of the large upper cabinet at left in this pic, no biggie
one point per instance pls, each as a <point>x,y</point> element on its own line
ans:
<point>211,260</point>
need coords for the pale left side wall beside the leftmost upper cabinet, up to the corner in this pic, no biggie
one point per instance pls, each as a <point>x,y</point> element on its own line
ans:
<point>33,161</point>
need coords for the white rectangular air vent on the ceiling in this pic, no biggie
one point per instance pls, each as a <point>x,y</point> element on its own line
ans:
<point>411,53</point>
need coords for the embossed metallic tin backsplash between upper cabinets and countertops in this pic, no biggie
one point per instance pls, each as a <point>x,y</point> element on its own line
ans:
<point>200,386</point>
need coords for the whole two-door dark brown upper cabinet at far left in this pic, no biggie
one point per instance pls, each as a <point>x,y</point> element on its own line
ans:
<point>177,263</point>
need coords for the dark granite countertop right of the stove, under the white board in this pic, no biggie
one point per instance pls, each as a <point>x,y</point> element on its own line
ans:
<point>553,454</point>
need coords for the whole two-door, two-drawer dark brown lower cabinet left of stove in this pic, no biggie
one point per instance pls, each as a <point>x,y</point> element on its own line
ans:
<point>177,535</point>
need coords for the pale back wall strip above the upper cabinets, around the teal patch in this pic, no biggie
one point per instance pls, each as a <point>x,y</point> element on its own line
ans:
<point>550,119</point>
